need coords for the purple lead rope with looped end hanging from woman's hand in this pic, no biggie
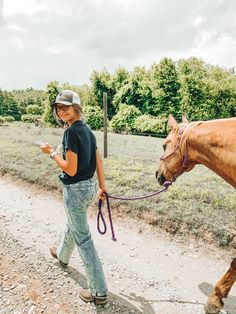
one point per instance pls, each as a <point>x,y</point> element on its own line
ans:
<point>100,216</point>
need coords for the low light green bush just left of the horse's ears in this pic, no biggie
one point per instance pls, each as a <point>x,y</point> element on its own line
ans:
<point>149,124</point>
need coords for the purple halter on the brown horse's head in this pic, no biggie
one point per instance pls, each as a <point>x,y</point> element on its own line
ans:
<point>185,157</point>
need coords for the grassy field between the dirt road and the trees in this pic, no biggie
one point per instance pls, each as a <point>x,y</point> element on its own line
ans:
<point>199,204</point>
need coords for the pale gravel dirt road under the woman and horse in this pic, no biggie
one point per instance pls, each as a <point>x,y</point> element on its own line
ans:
<point>147,271</point>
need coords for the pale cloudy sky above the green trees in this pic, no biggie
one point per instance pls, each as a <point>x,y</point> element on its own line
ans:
<point>66,40</point>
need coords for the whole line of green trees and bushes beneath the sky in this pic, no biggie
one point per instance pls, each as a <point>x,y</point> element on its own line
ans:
<point>139,101</point>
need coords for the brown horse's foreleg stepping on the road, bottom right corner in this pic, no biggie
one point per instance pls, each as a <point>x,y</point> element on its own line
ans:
<point>221,290</point>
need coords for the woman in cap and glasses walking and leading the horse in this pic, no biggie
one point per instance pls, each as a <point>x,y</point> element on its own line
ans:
<point>80,158</point>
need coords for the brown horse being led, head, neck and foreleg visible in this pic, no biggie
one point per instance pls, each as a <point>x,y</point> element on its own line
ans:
<point>212,144</point>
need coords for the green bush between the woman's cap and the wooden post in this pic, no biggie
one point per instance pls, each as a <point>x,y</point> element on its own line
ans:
<point>94,117</point>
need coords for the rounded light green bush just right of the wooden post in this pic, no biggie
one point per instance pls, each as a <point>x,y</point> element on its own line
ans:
<point>124,120</point>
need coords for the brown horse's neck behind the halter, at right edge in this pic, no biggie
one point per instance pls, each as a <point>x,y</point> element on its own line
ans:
<point>213,144</point>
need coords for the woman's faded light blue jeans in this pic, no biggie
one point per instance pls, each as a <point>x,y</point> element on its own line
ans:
<point>77,198</point>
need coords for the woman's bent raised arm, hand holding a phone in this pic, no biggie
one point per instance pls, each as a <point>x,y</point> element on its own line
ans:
<point>69,165</point>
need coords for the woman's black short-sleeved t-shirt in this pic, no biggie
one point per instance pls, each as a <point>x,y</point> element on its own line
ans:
<point>80,139</point>
